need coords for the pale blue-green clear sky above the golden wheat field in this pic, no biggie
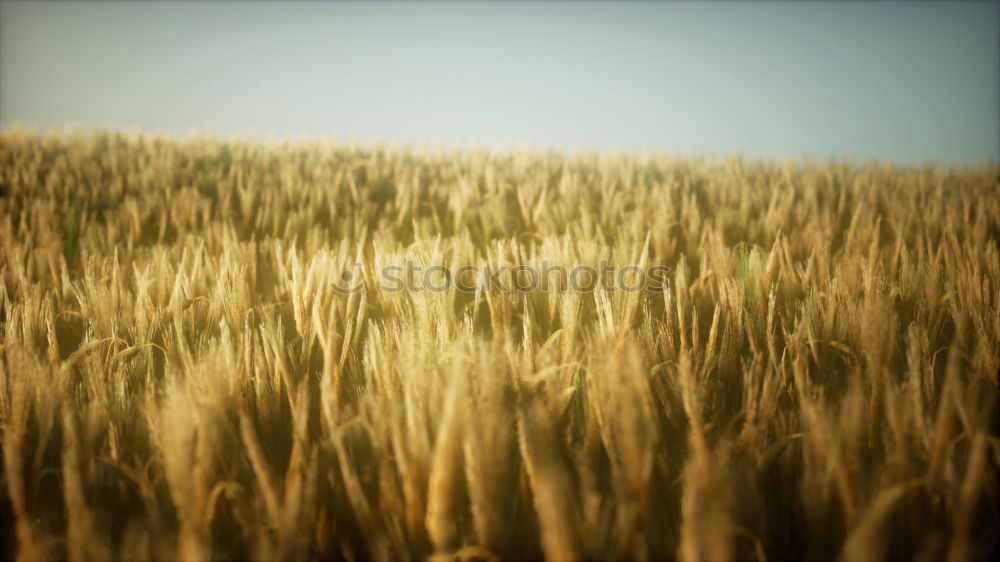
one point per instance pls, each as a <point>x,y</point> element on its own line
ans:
<point>906,81</point>
